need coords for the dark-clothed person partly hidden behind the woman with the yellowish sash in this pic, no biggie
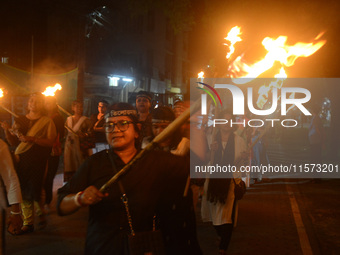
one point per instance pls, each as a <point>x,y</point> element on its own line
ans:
<point>53,159</point>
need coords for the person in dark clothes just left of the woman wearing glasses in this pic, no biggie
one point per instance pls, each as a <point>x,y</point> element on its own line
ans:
<point>98,129</point>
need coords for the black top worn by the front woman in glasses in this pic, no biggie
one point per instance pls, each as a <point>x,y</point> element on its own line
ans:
<point>151,185</point>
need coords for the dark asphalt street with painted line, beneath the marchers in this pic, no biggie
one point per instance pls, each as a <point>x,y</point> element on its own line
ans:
<point>276,216</point>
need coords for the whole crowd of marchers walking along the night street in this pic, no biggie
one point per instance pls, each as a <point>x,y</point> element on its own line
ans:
<point>161,197</point>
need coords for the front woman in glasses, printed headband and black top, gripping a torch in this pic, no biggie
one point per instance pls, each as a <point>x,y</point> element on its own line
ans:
<point>150,185</point>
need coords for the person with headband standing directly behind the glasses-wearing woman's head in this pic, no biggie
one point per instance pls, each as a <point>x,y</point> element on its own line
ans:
<point>143,106</point>
